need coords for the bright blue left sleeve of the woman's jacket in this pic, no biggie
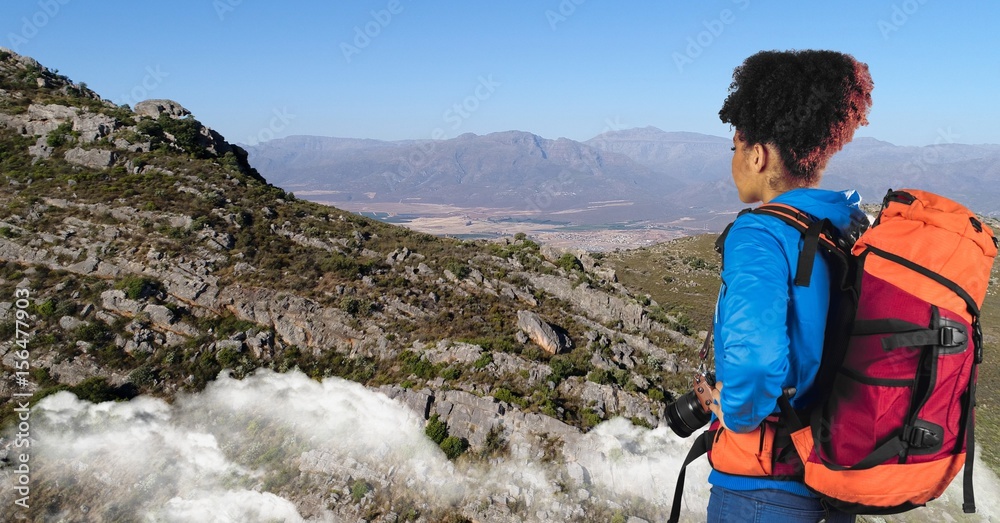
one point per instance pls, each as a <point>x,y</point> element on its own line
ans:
<point>751,331</point>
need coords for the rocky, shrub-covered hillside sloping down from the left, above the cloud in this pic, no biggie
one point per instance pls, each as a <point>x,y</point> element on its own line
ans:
<point>152,257</point>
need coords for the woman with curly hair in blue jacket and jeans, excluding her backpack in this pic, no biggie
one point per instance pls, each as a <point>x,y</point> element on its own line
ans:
<point>791,112</point>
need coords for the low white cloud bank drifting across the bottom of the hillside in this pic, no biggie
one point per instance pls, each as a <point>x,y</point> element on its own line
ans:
<point>283,447</point>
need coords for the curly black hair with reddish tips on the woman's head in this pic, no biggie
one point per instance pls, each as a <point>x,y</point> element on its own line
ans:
<point>806,103</point>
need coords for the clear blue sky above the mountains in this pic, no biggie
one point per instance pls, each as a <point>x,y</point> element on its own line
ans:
<point>404,69</point>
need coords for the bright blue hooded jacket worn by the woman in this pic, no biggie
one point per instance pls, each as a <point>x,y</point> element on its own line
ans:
<point>768,331</point>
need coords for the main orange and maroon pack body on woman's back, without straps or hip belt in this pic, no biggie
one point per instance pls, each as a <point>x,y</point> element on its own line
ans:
<point>898,422</point>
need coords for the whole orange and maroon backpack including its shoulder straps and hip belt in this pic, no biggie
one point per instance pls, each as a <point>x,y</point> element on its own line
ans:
<point>902,345</point>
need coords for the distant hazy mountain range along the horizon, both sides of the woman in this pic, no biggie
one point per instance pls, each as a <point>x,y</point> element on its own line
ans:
<point>639,175</point>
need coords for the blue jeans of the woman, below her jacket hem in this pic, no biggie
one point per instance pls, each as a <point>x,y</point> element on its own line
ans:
<point>769,506</point>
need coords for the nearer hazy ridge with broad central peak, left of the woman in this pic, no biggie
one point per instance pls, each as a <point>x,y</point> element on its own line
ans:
<point>514,170</point>
